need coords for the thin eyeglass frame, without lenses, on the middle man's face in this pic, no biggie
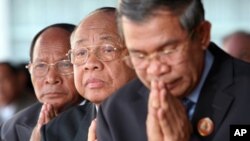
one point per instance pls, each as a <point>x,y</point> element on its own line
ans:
<point>90,50</point>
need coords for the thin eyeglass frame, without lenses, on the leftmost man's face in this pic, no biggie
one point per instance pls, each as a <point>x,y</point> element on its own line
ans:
<point>29,67</point>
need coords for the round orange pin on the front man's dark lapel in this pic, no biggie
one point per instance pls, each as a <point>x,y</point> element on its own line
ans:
<point>205,126</point>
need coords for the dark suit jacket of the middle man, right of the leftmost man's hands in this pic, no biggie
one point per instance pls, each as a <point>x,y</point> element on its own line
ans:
<point>71,125</point>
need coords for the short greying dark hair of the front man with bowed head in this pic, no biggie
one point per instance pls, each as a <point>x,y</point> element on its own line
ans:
<point>190,12</point>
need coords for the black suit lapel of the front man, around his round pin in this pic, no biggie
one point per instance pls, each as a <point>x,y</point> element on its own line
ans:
<point>214,100</point>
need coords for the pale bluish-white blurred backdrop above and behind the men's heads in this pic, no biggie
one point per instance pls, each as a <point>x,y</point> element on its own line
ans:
<point>20,20</point>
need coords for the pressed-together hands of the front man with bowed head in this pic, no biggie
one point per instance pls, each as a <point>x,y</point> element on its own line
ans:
<point>166,119</point>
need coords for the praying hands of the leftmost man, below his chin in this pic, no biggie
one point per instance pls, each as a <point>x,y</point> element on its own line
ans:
<point>47,113</point>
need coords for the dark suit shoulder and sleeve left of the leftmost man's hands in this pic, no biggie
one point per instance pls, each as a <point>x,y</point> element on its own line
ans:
<point>19,128</point>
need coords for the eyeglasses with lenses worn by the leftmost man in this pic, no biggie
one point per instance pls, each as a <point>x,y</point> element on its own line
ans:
<point>40,69</point>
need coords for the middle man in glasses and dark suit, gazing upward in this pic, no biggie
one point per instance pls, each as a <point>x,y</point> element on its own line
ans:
<point>97,53</point>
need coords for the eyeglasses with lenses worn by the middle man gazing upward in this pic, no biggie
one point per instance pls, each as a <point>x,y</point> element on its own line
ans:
<point>105,52</point>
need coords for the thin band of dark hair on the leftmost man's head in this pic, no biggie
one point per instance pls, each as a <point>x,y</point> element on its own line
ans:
<point>68,27</point>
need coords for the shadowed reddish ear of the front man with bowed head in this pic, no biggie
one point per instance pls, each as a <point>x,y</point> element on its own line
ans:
<point>204,31</point>
